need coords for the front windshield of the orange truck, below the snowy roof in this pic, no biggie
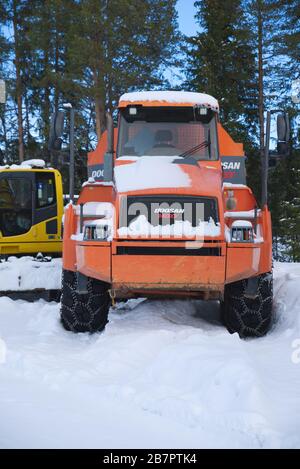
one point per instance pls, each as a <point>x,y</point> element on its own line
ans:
<point>182,132</point>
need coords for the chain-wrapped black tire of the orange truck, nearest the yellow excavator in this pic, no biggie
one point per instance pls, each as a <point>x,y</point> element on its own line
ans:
<point>84,312</point>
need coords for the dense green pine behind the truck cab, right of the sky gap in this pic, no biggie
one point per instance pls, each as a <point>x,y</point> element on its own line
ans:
<point>220,61</point>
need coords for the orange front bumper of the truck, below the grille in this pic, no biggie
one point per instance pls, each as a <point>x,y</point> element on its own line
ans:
<point>150,268</point>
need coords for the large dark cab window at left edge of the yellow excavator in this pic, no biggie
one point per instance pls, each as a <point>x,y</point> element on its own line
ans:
<point>15,206</point>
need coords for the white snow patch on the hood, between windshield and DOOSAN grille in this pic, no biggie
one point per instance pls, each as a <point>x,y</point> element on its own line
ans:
<point>150,172</point>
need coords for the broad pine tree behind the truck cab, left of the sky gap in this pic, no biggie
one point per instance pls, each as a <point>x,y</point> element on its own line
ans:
<point>120,45</point>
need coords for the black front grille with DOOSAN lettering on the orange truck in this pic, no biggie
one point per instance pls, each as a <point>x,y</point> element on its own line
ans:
<point>166,209</point>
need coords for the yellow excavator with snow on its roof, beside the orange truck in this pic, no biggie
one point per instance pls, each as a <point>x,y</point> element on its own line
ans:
<point>31,209</point>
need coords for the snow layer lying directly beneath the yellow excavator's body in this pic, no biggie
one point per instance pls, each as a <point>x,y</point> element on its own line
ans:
<point>24,273</point>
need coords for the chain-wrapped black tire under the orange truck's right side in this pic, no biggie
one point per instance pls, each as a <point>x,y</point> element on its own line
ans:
<point>249,317</point>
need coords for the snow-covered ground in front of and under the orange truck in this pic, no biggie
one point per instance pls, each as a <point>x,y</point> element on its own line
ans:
<point>163,374</point>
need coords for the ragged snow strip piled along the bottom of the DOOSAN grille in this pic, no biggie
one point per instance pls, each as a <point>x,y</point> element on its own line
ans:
<point>141,227</point>
